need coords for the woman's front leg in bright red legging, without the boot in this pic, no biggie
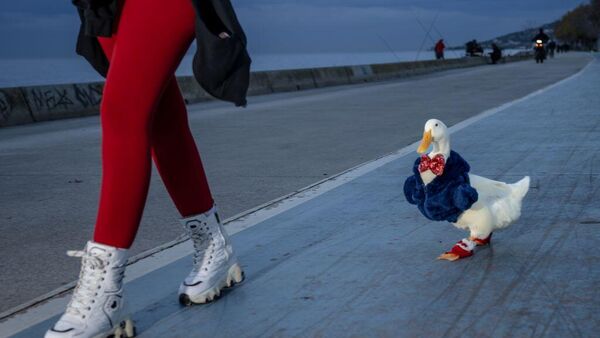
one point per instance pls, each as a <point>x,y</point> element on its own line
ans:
<point>151,39</point>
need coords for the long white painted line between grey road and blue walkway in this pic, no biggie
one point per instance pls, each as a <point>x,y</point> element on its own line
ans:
<point>53,303</point>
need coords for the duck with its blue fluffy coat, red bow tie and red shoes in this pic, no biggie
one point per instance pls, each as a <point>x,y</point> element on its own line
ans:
<point>443,189</point>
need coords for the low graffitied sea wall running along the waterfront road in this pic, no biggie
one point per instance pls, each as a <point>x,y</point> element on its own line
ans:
<point>21,105</point>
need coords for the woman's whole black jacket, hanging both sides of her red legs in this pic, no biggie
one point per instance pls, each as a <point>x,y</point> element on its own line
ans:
<point>221,66</point>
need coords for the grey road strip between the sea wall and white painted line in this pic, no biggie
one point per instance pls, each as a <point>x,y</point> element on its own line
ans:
<point>50,172</point>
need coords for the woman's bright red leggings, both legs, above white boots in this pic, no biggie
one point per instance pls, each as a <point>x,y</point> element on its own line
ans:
<point>143,115</point>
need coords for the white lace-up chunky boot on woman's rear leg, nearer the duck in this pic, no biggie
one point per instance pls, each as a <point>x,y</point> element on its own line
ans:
<point>215,265</point>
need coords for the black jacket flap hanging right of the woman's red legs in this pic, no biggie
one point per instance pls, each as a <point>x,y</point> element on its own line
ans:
<point>221,65</point>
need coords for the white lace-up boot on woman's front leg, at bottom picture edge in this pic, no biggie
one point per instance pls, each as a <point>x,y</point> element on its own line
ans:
<point>96,307</point>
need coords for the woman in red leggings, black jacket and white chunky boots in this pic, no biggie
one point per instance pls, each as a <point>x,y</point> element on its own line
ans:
<point>137,45</point>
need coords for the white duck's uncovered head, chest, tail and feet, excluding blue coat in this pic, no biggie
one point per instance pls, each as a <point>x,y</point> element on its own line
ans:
<point>498,204</point>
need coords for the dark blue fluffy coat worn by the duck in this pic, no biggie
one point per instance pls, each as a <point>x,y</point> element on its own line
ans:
<point>447,196</point>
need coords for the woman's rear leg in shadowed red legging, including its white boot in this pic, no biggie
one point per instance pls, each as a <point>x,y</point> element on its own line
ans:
<point>176,156</point>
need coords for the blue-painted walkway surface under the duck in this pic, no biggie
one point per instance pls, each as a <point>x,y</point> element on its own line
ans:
<point>356,260</point>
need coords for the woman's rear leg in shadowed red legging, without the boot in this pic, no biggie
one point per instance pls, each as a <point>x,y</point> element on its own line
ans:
<point>176,156</point>
